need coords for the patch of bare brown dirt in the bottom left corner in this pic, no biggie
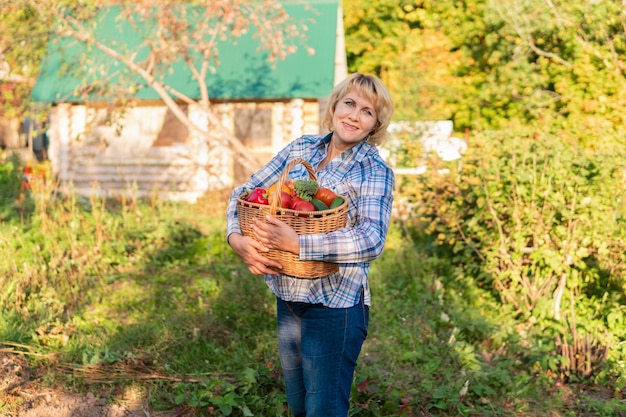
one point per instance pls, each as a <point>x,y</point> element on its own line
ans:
<point>22,397</point>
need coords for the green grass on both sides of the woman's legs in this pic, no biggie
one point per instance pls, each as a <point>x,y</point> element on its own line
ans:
<point>111,296</point>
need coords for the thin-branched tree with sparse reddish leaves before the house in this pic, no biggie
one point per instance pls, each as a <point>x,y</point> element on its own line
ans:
<point>172,33</point>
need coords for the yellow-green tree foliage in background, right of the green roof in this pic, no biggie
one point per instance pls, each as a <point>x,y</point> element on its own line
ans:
<point>491,65</point>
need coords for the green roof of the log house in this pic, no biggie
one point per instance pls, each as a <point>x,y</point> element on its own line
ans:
<point>243,73</point>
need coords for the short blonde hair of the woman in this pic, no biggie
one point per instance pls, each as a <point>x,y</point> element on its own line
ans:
<point>376,92</point>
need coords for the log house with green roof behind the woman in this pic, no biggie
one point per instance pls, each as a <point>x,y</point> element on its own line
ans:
<point>146,149</point>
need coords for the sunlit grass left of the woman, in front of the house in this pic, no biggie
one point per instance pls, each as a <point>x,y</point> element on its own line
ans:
<point>131,287</point>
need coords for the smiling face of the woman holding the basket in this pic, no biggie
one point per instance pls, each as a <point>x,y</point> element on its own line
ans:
<point>353,120</point>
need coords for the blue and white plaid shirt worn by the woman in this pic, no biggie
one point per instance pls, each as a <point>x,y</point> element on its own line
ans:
<point>363,176</point>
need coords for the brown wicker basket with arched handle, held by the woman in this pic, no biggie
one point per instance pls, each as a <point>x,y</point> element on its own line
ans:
<point>303,222</point>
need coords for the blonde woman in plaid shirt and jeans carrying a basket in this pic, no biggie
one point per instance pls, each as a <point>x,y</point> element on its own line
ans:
<point>323,322</point>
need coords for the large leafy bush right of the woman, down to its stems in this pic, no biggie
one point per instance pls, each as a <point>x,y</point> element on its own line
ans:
<point>541,224</point>
